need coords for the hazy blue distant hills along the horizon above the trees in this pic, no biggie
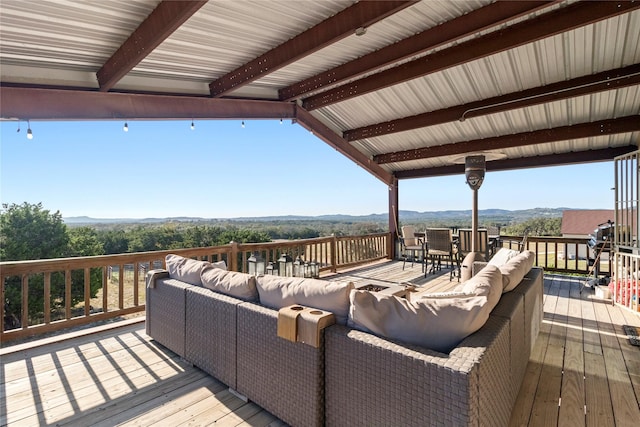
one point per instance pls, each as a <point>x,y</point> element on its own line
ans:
<point>407,216</point>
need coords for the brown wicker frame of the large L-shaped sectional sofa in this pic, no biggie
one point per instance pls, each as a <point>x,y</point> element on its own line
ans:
<point>353,377</point>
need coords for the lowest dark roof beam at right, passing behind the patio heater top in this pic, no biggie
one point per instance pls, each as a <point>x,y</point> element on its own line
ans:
<point>560,159</point>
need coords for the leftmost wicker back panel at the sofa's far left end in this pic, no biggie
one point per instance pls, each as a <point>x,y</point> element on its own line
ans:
<point>166,314</point>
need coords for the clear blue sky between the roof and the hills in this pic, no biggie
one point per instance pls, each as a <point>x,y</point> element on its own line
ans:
<point>221,170</point>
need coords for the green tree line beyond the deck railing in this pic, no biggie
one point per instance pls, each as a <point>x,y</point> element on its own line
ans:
<point>31,232</point>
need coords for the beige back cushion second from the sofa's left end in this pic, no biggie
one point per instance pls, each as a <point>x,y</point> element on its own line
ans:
<point>232,283</point>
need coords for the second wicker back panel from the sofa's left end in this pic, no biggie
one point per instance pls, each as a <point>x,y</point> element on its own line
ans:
<point>211,333</point>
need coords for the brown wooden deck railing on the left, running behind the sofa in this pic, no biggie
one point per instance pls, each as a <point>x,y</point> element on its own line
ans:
<point>111,286</point>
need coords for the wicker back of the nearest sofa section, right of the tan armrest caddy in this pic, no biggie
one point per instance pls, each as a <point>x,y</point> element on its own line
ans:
<point>374,381</point>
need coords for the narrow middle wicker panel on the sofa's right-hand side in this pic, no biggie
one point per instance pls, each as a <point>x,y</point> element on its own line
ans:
<point>511,307</point>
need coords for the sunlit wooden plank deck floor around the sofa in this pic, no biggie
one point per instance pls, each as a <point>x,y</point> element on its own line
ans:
<point>583,370</point>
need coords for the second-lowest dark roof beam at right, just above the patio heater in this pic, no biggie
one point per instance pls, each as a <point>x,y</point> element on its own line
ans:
<point>583,130</point>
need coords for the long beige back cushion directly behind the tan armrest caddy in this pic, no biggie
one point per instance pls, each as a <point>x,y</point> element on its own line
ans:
<point>277,292</point>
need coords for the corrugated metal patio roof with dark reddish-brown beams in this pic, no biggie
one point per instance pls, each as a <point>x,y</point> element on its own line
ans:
<point>405,89</point>
